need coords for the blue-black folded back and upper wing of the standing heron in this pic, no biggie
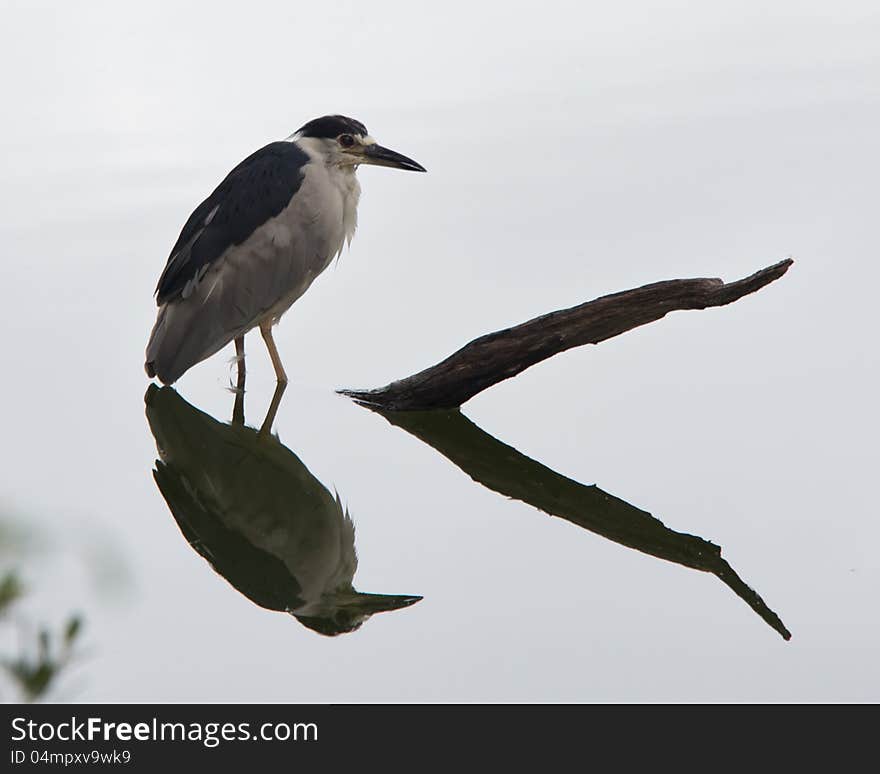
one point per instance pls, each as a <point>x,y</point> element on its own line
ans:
<point>257,189</point>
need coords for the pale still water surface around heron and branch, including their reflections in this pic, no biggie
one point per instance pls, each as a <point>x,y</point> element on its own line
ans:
<point>470,555</point>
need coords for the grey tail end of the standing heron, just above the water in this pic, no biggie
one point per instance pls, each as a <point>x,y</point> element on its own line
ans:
<point>177,344</point>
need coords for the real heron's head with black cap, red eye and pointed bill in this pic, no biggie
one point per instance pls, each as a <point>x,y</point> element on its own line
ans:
<point>344,142</point>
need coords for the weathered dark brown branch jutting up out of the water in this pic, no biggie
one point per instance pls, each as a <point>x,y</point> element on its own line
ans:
<point>500,355</point>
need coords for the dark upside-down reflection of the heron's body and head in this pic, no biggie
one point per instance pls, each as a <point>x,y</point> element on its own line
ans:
<point>249,506</point>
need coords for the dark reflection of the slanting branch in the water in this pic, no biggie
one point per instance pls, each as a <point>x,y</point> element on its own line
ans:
<point>503,469</point>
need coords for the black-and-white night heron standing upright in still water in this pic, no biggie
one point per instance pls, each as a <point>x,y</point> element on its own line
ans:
<point>257,243</point>
